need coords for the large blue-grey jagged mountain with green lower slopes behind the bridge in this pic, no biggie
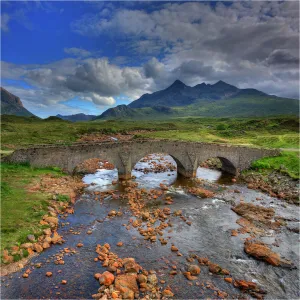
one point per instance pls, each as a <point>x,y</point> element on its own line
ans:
<point>217,100</point>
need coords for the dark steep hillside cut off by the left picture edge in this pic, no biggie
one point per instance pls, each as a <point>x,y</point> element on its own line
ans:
<point>12,105</point>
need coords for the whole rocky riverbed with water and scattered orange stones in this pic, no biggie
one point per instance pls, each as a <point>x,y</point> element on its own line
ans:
<point>159,236</point>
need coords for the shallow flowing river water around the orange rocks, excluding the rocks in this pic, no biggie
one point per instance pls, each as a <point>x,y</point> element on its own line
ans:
<point>208,236</point>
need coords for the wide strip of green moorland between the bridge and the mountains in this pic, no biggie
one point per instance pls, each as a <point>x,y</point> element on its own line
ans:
<point>277,132</point>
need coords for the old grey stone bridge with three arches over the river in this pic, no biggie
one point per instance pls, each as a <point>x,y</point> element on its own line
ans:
<point>125,154</point>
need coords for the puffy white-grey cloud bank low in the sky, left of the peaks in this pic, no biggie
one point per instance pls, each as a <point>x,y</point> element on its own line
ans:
<point>91,79</point>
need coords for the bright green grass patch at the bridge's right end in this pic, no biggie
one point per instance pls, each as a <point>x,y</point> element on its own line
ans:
<point>287,162</point>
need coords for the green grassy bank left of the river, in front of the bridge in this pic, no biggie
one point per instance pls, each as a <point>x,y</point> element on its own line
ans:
<point>21,210</point>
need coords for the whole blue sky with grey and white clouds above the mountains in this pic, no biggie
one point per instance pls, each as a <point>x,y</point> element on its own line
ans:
<point>85,57</point>
